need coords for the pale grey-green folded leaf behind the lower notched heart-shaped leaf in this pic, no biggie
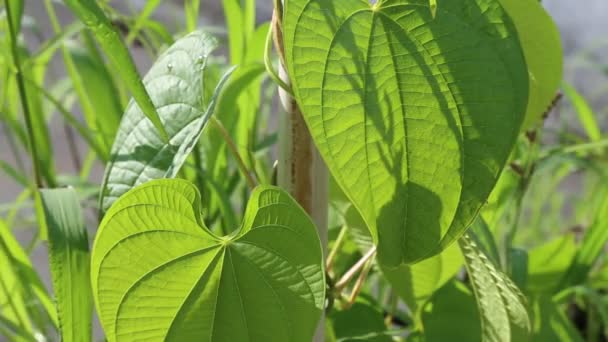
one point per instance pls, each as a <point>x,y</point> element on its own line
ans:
<point>176,83</point>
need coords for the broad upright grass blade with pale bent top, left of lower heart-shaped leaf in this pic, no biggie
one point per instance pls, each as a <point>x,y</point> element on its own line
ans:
<point>70,263</point>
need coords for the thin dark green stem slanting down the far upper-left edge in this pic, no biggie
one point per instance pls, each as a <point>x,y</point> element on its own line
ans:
<point>23,97</point>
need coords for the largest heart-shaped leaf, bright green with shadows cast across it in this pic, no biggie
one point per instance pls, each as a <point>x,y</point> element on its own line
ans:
<point>415,116</point>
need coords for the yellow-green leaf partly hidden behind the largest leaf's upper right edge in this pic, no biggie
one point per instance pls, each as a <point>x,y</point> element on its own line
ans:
<point>542,46</point>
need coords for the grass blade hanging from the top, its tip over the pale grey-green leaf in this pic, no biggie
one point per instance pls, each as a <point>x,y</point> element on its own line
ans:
<point>117,52</point>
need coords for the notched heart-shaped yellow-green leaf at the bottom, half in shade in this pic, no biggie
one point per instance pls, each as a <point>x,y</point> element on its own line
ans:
<point>159,274</point>
